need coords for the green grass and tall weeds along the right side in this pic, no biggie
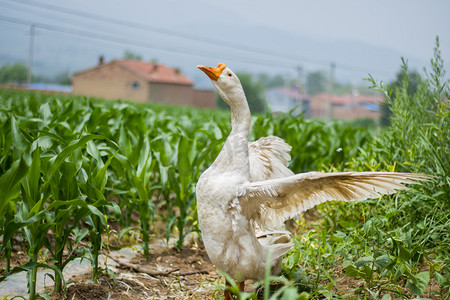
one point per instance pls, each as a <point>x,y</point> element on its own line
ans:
<point>394,246</point>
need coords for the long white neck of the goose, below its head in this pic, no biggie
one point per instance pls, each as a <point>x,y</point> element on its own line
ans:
<point>234,155</point>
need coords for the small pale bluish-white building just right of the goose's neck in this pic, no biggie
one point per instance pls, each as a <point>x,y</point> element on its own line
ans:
<point>281,99</point>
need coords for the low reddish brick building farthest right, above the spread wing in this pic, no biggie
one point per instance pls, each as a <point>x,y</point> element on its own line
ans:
<point>347,107</point>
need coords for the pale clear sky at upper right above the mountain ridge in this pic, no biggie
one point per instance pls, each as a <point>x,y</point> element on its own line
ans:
<point>409,26</point>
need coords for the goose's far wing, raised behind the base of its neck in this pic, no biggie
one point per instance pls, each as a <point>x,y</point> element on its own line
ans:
<point>269,158</point>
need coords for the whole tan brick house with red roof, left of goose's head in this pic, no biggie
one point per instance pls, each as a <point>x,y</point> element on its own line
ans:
<point>141,82</point>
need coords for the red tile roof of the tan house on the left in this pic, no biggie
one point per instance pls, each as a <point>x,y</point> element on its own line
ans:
<point>154,72</point>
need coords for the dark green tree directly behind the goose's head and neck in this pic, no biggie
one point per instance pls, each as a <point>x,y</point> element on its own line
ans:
<point>254,91</point>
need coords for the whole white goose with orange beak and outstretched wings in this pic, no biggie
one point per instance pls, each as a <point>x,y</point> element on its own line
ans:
<point>249,185</point>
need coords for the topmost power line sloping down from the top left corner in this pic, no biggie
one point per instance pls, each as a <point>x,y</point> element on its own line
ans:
<point>186,36</point>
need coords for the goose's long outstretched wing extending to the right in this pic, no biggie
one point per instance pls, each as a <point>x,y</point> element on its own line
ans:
<point>271,202</point>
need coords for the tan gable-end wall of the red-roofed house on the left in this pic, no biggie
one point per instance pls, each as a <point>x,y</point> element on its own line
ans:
<point>110,81</point>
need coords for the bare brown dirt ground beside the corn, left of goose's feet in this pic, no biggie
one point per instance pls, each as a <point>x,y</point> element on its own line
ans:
<point>129,284</point>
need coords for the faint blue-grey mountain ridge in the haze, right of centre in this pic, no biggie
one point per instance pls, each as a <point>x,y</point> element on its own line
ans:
<point>354,60</point>
